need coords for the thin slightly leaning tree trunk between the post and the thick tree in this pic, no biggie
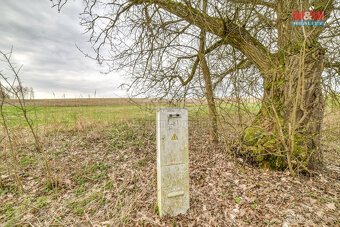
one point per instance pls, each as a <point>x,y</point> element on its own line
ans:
<point>213,130</point>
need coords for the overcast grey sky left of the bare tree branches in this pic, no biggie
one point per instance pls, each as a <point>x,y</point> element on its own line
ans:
<point>44,42</point>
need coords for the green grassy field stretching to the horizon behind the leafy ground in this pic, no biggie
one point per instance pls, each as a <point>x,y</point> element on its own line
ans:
<point>57,112</point>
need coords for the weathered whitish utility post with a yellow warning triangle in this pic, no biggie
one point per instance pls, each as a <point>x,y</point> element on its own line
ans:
<point>172,161</point>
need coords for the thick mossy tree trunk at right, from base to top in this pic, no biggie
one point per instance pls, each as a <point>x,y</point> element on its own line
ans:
<point>287,130</point>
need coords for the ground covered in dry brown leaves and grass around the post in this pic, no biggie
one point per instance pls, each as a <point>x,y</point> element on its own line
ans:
<point>107,177</point>
